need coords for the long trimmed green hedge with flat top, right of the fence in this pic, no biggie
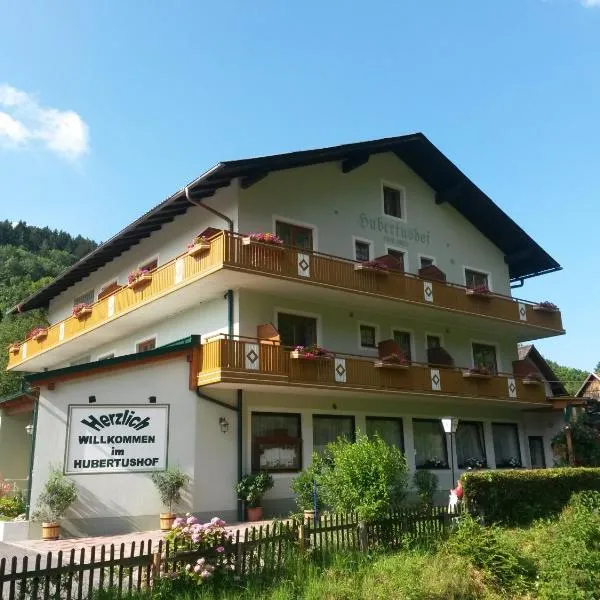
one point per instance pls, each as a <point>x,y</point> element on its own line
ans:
<point>520,496</point>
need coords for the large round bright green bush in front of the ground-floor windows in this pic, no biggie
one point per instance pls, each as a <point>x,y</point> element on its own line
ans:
<point>367,476</point>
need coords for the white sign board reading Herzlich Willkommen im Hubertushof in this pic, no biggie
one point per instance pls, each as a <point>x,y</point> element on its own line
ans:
<point>117,438</point>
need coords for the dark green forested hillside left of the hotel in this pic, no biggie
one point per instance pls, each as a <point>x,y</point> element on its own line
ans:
<point>29,258</point>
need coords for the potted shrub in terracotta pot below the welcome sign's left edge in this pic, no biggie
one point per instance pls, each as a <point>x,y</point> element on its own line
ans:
<point>53,502</point>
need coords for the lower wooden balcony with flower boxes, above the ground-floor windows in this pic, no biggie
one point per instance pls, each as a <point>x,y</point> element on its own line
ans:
<point>248,361</point>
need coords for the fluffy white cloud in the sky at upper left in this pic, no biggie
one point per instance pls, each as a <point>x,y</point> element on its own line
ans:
<point>24,122</point>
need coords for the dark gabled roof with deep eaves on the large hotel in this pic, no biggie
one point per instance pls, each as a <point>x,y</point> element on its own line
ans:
<point>524,257</point>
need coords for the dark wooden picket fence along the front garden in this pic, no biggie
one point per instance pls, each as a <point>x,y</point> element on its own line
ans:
<point>264,550</point>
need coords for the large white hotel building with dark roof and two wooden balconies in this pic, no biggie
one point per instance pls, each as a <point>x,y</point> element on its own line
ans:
<point>201,352</point>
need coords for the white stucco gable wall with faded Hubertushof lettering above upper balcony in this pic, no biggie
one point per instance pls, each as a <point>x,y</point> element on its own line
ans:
<point>322,197</point>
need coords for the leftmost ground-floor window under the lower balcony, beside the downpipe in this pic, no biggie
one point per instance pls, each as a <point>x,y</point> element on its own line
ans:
<point>276,442</point>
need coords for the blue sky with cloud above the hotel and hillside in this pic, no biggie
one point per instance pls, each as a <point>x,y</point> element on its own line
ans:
<point>125,102</point>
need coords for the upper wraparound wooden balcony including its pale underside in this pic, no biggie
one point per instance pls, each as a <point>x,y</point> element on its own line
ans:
<point>229,263</point>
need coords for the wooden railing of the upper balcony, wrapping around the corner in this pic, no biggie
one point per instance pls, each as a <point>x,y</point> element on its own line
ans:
<point>228,251</point>
